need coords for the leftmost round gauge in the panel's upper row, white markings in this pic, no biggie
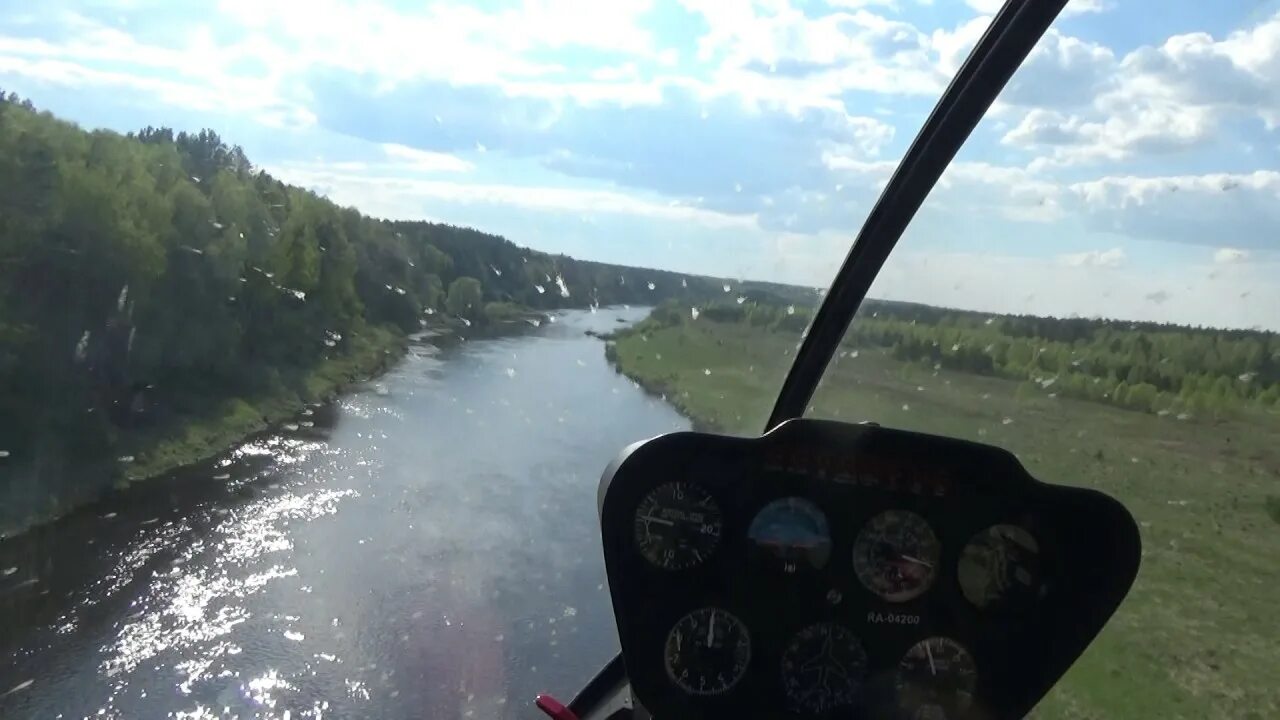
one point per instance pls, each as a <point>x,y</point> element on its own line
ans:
<point>678,526</point>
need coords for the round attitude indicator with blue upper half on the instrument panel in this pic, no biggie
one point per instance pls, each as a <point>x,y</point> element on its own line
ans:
<point>794,534</point>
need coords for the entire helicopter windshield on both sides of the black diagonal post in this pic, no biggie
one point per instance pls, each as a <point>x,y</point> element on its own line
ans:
<point>319,322</point>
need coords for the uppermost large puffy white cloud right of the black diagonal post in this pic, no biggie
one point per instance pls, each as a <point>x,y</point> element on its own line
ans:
<point>1156,99</point>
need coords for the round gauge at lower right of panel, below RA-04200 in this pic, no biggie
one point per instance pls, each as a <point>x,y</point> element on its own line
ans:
<point>936,680</point>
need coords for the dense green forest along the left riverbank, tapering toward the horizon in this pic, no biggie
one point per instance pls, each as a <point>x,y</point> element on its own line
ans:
<point>148,279</point>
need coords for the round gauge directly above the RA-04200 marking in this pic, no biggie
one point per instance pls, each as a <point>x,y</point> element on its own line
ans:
<point>897,555</point>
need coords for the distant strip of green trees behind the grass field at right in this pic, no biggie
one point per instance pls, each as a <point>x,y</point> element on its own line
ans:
<point>1154,368</point>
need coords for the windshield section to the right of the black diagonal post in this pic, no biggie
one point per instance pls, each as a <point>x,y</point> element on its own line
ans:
<point>1095,285</point>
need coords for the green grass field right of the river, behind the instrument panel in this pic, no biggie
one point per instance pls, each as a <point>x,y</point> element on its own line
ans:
<point>1196,639</point>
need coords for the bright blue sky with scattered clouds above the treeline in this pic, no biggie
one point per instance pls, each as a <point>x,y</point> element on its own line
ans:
<point>1131,170</point>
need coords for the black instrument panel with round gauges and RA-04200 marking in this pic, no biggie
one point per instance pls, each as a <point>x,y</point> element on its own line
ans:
<point>834,571</point>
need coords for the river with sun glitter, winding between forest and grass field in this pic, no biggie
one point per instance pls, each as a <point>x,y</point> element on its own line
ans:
<point>428,548</point>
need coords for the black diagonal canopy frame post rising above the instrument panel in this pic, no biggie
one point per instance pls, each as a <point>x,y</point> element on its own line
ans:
<point>1002,51</point>
